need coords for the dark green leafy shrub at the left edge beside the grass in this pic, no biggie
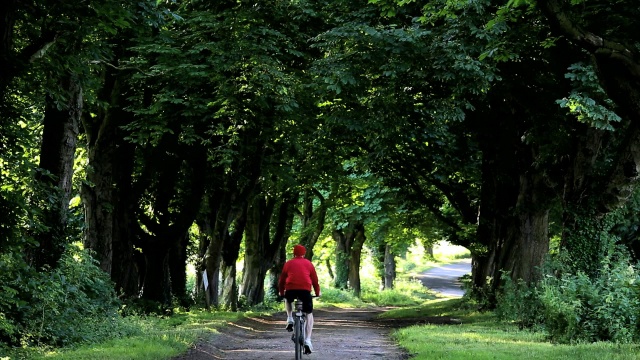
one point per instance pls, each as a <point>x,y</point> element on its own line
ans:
<point>75,302</point>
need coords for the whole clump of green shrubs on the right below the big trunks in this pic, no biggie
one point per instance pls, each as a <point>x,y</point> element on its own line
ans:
<point>575,307</point>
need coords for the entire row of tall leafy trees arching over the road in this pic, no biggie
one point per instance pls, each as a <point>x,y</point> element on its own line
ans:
<point>494,126</point>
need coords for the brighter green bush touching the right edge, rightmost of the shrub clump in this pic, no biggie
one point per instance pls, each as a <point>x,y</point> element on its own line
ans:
<point>602,307</point>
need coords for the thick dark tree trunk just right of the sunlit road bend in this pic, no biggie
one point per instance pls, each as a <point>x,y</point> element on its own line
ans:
<point>513,219</point>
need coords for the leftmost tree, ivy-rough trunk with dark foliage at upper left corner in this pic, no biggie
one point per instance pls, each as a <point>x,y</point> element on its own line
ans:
<point>46,39</point>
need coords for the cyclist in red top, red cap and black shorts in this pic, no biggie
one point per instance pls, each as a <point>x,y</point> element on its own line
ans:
<point>297,277</point>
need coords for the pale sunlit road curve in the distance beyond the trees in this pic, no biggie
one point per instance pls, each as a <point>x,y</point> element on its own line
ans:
<point>445,279</point>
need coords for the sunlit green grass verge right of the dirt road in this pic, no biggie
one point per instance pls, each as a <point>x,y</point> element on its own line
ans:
<point>480,336</point>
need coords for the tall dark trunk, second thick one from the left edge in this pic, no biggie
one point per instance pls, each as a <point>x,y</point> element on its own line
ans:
<point>108,196</point>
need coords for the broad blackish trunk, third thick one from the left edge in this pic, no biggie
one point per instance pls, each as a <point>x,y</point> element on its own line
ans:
<point>177,194</point>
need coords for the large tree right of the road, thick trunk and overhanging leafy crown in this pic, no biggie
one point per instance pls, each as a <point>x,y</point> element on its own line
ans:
<point>470,149</point>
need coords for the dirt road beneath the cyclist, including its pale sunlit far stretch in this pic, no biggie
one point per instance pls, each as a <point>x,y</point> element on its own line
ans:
<point>339,334</point>
